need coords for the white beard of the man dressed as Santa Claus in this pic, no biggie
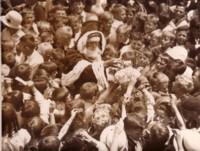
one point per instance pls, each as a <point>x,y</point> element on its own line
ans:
<point>92,55</point>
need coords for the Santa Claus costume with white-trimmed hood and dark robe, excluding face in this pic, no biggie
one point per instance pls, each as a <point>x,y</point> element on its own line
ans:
<point>80,69</point>
